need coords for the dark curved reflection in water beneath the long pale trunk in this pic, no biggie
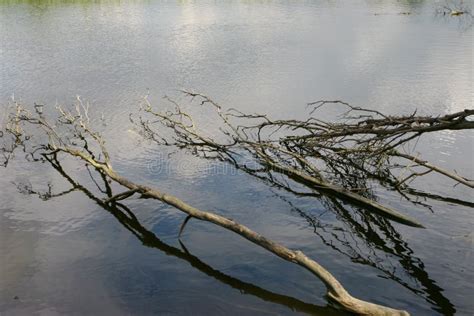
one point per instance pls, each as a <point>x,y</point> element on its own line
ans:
<point>128,220</point>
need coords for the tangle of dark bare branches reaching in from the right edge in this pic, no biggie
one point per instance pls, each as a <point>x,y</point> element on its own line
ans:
<point>328,157</point>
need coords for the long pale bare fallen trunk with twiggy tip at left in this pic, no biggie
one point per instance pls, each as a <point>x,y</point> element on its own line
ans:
<point>71,135</point>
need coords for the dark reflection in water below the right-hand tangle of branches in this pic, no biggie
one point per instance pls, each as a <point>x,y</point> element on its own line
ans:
<point>366,238</point>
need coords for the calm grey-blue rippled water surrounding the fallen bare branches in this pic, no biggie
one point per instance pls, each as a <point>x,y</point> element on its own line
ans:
<point>68,255</point>
